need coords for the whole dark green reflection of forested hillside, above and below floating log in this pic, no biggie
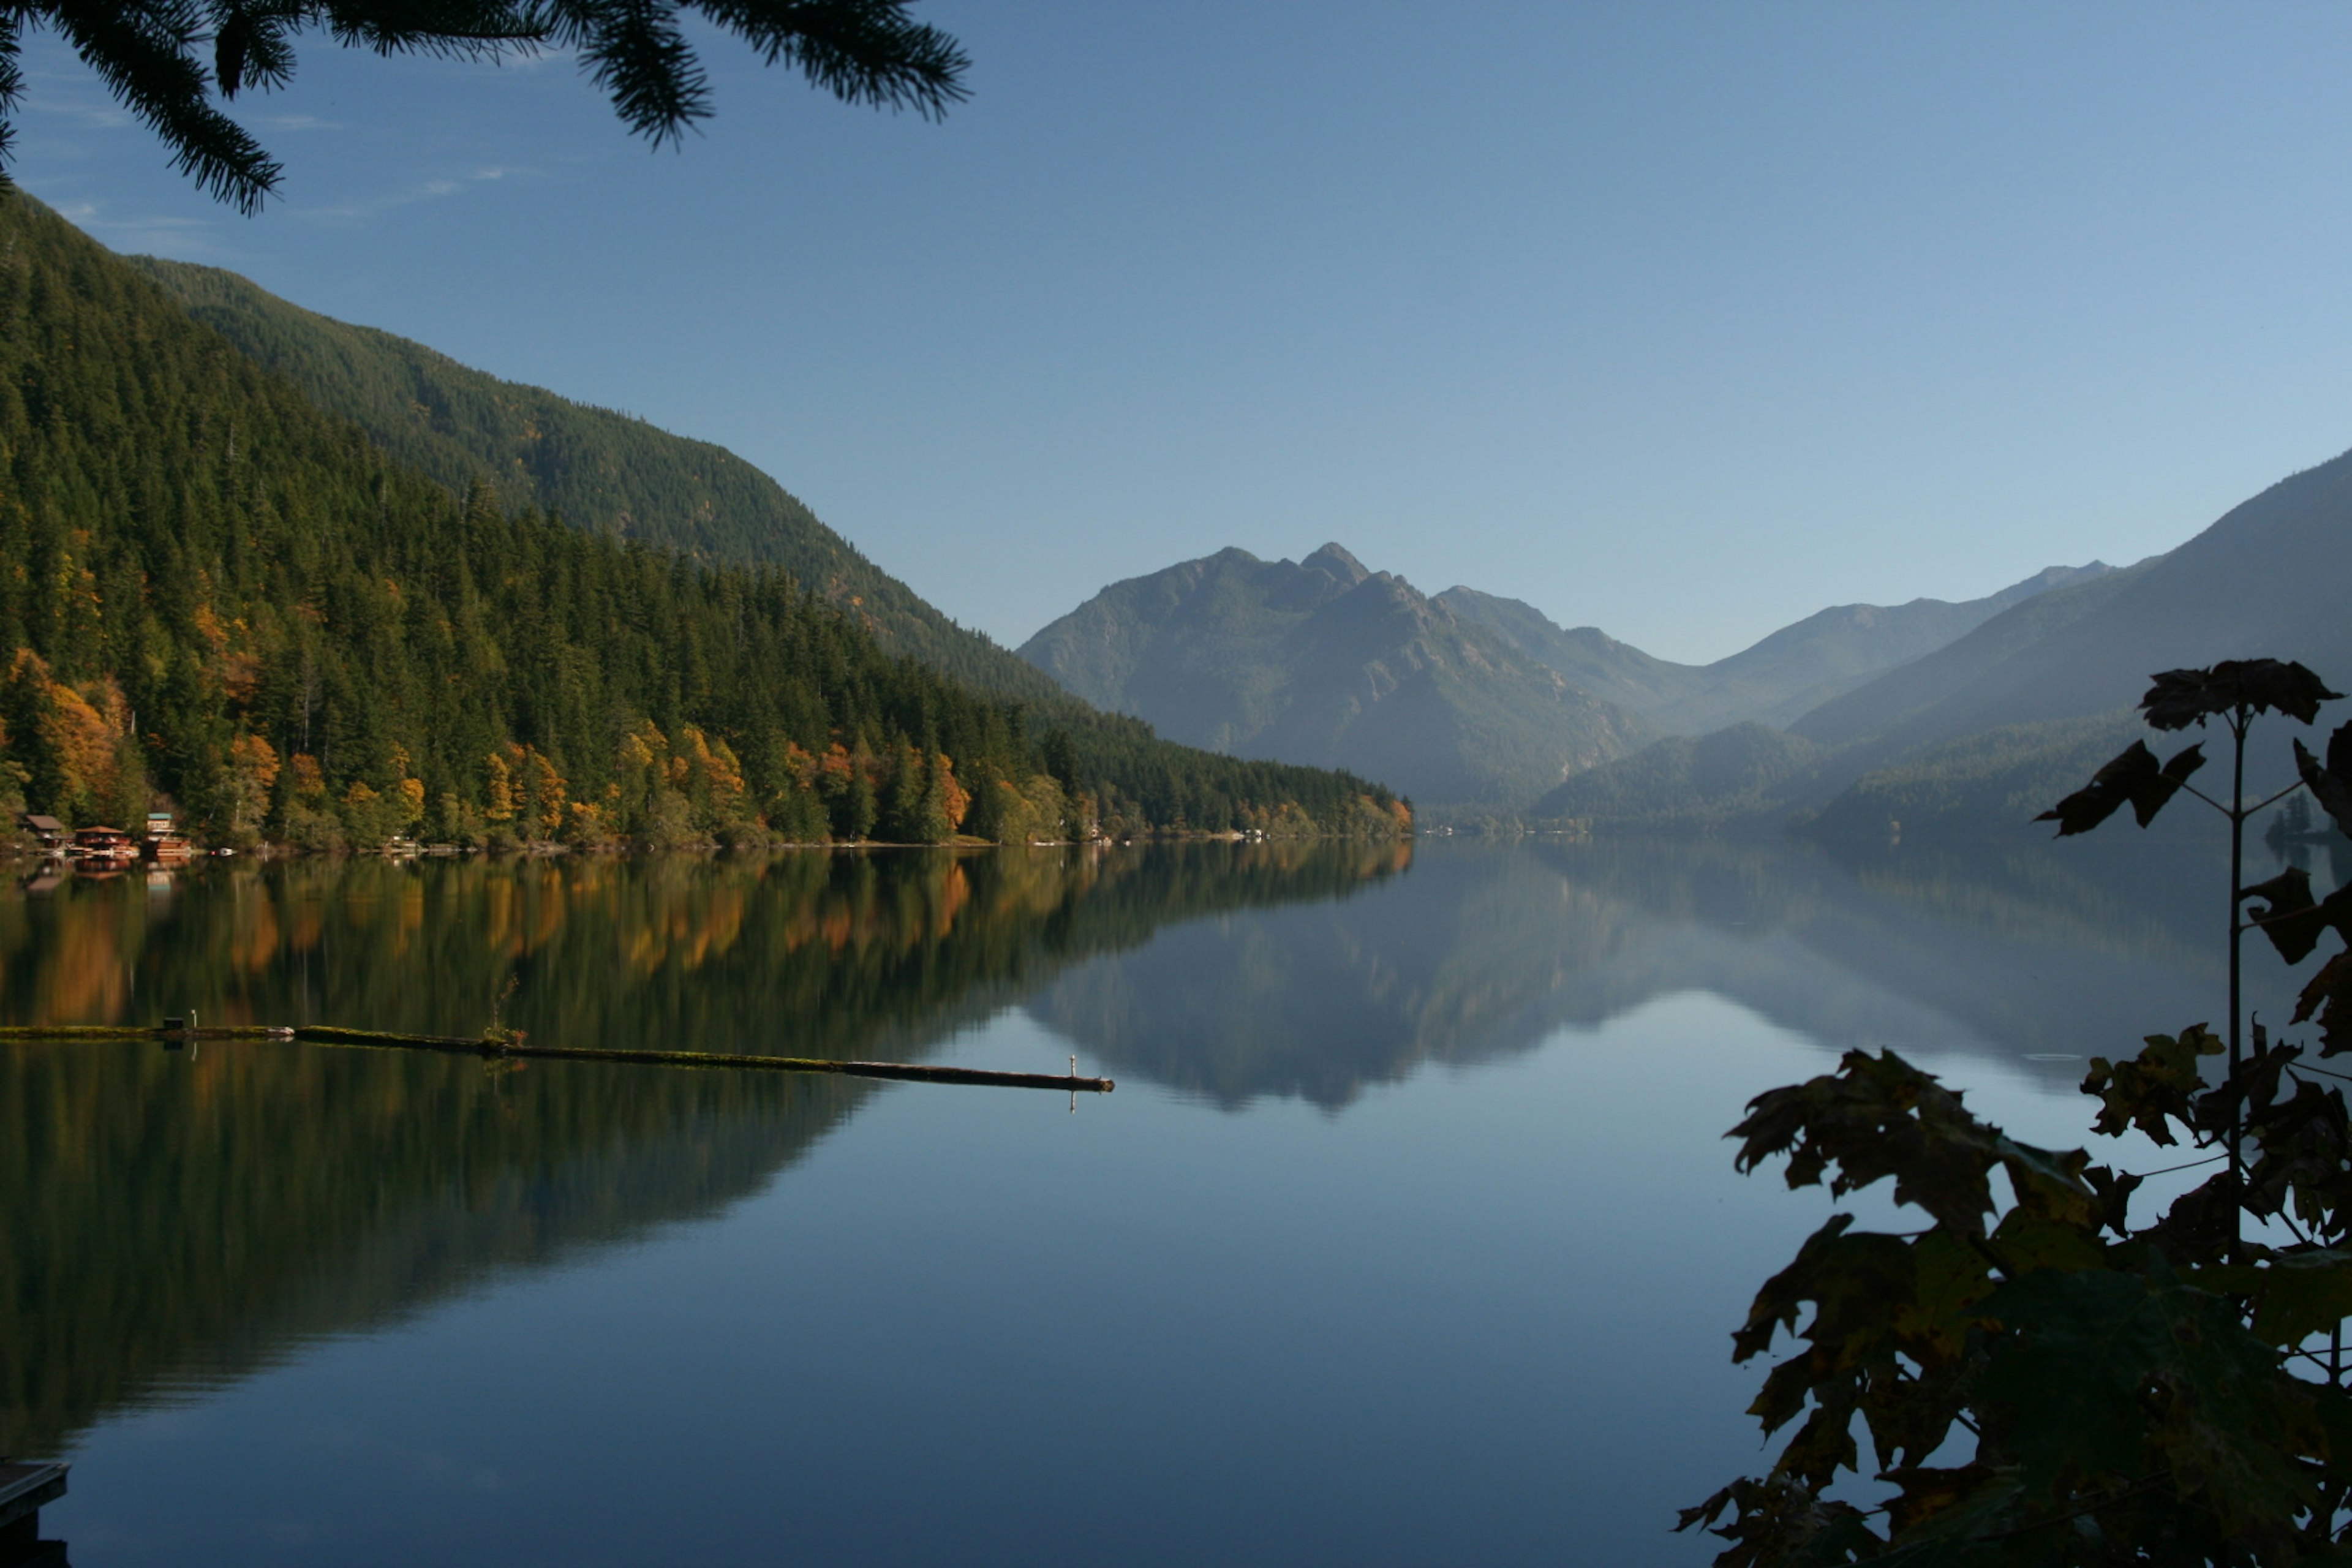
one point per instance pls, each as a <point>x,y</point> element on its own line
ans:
<point>187,1217</point>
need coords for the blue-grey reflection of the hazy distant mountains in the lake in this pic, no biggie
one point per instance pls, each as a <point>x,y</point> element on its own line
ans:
<point>2024,953</point>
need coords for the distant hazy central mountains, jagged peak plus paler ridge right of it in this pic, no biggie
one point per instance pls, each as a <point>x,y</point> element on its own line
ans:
<point>1459,699</point>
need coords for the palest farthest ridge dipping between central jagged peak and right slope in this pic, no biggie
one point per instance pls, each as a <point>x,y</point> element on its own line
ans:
<point>1772,683</point>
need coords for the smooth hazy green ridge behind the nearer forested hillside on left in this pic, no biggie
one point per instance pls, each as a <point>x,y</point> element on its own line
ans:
<point>594,467</point>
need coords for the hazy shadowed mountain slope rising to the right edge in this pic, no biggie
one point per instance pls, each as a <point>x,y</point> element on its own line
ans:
<point>1996,725</point>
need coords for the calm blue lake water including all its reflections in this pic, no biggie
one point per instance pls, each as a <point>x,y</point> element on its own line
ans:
<point>1408,1238</point>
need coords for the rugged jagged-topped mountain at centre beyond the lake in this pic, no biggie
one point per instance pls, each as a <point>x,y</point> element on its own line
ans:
<point>1323,659</point>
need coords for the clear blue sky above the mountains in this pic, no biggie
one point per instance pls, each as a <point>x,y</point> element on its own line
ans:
<point>1673,319</point>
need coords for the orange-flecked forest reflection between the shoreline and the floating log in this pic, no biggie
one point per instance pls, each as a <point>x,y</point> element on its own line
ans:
<point>794,956</point>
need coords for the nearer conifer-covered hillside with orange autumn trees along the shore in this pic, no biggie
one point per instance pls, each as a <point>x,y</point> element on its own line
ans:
<point>227,596</point>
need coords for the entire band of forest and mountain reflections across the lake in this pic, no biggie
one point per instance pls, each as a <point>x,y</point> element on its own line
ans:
<point>182,1219</point>
